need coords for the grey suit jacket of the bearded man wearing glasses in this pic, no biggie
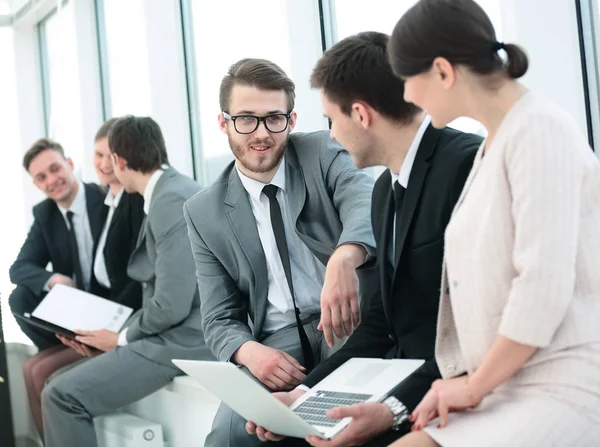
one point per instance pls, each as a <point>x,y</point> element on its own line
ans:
<point>330,203</point>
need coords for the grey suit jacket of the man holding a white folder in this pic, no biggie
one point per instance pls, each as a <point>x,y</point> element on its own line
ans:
<point>169,324</point>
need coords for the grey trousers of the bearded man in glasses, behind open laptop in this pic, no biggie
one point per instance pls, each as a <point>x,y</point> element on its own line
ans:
<point>228,428</point>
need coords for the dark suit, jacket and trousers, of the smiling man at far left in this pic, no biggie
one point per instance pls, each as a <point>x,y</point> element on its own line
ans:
<point>47,242</point>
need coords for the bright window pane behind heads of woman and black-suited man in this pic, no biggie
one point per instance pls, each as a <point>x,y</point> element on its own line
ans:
<point>354,16</point>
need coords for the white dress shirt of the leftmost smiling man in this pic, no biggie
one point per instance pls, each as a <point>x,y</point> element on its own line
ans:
<point>83,233</point>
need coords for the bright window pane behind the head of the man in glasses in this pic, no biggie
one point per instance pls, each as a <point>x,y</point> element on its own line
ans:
<point>267,29</point>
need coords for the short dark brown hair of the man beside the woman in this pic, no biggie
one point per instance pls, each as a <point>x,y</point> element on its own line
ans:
<point>357,69</point>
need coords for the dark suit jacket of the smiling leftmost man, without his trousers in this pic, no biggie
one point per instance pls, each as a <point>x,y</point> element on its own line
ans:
<point>47,241</point>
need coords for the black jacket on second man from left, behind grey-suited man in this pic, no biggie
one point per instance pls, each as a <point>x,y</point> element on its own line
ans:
<point>121,240</point>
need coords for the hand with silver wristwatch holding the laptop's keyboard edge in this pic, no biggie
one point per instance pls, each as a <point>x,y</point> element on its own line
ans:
<point>369,420</point>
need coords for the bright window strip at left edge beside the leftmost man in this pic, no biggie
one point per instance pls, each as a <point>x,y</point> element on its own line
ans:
<point>11,179</point>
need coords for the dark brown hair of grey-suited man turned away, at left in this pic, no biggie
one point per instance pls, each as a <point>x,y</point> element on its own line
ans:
<point>139,141</point>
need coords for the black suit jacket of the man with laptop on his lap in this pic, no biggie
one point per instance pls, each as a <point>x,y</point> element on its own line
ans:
<point>402,323</point>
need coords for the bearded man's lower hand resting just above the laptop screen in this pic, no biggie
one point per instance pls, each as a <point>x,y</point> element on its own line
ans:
<point>276,369</point>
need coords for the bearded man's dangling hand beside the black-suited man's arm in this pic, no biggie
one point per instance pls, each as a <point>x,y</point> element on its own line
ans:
<point>340,311</point>
